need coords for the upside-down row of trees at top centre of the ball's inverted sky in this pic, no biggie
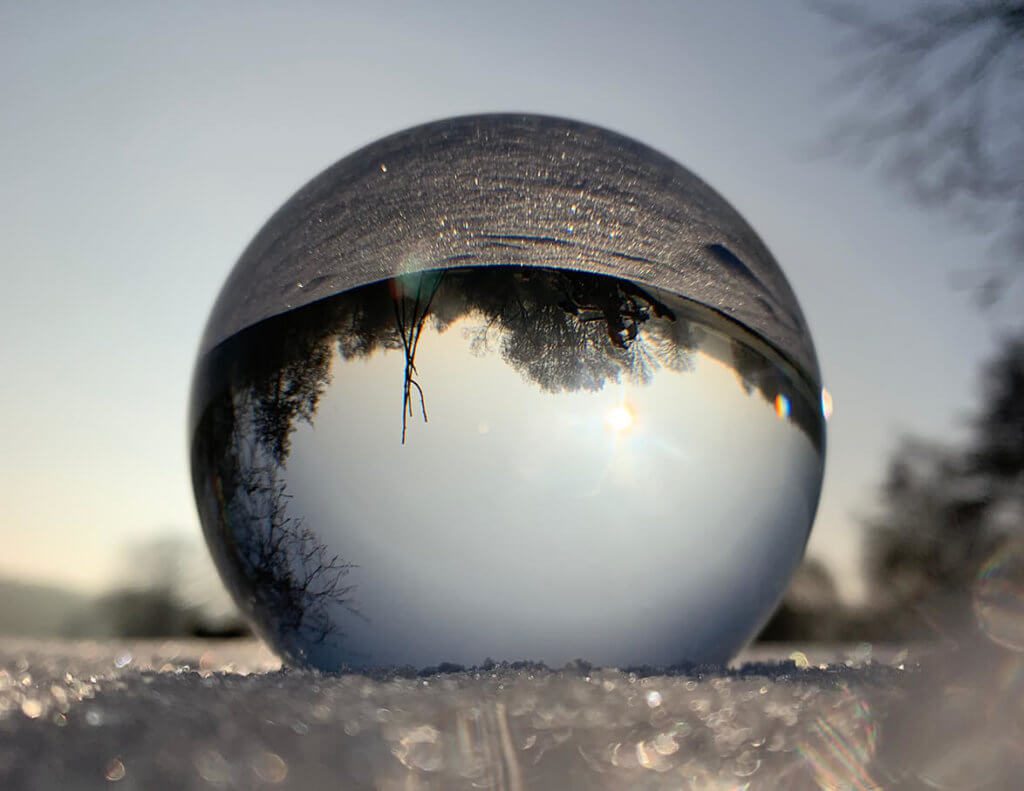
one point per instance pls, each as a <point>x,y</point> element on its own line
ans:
<point>563,331</point>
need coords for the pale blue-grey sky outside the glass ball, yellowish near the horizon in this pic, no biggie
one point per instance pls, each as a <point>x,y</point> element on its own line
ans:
<point>144,145</point>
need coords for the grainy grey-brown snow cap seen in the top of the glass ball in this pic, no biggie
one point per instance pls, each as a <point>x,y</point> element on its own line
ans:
<point>513,190</point>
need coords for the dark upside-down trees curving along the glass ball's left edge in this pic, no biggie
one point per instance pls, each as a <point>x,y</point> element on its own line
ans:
<point>281,572</point>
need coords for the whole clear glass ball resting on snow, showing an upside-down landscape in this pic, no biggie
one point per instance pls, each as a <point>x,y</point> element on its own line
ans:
<point>539,394</point>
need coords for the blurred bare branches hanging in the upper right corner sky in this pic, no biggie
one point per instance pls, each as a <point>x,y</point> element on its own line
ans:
<point>938,99</point>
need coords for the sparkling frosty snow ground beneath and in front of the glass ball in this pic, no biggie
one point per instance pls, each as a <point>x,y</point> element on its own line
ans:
<point>208,716</point>
